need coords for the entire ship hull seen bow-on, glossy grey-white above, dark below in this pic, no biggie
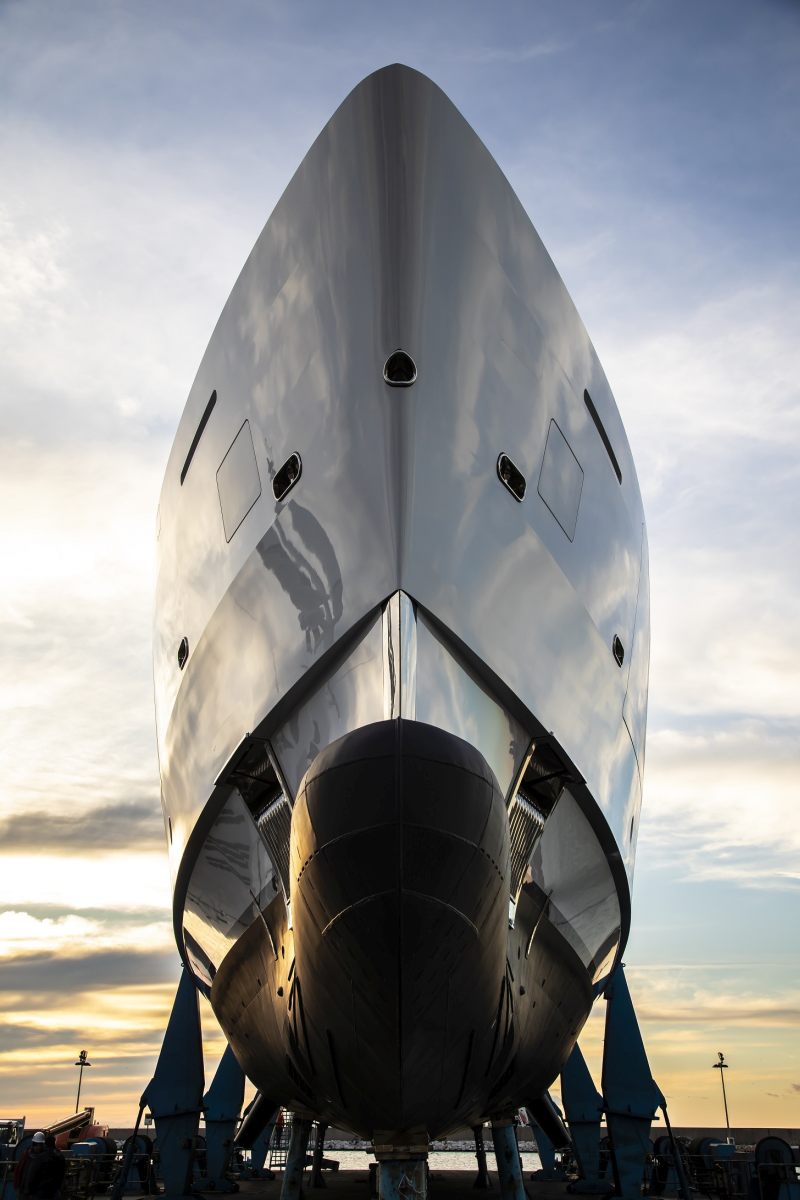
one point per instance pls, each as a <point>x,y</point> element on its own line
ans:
<point>386,943</point>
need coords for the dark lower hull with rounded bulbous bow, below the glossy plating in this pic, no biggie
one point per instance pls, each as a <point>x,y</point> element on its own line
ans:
<point>401,1000</point>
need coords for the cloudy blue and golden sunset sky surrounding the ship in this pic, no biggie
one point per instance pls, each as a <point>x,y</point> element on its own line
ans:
<point>657,148</point>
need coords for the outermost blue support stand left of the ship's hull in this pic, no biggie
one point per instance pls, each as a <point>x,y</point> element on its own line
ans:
<point>175,1095</point>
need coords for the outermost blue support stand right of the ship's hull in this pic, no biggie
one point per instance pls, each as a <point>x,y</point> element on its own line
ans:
<point>631,1095</point>
